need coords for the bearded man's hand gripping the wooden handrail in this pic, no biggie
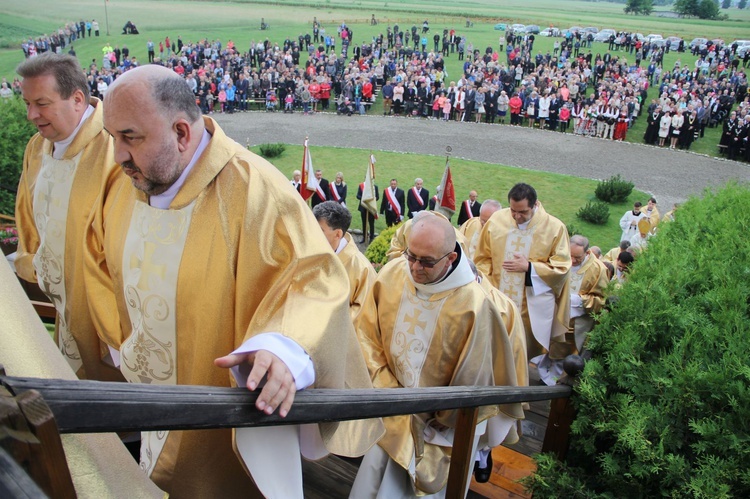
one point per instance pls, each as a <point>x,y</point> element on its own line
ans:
<point>279,389</point>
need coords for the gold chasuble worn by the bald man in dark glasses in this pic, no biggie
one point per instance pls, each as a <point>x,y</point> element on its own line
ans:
<point>448,333</point>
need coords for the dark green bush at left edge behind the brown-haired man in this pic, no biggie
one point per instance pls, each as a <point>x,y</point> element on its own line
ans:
<point>15,132</point>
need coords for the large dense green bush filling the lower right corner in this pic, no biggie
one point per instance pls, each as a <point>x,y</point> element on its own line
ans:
<point>664,405</point>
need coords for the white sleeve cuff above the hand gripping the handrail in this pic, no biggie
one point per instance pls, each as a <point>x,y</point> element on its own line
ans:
<point>289,351</point>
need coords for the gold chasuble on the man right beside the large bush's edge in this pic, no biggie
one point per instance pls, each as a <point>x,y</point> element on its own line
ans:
<point>588,282</point>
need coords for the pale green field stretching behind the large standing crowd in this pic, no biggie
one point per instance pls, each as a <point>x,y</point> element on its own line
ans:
<point>240,21</point>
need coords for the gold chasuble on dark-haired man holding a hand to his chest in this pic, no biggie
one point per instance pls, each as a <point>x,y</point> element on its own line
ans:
<point>545,243</point>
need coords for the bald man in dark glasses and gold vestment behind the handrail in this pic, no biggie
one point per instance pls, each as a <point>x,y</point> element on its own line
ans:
<point>428,322</point>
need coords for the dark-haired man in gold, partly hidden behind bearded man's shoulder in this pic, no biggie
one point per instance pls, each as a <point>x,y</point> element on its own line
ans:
<point>334,220</point>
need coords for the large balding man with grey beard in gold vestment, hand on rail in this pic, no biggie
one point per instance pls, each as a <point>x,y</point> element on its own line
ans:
<point>188,264</point>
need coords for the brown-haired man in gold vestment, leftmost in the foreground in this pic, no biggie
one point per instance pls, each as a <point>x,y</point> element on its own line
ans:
<point>64,168</point>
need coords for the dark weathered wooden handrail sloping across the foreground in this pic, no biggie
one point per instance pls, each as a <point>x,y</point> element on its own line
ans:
<point>93,406</point>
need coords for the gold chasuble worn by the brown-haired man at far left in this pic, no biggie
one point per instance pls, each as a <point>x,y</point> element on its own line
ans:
<point>55,198</point>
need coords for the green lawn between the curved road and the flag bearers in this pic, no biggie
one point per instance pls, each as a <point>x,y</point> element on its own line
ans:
<point>490,181</point>
